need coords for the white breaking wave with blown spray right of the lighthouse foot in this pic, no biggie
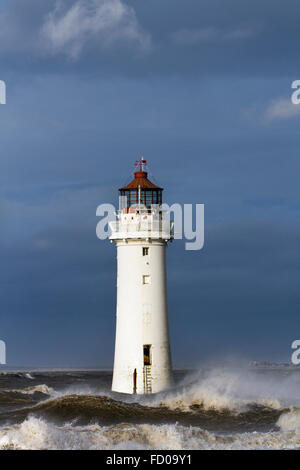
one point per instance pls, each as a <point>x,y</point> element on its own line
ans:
<point>235,390</point>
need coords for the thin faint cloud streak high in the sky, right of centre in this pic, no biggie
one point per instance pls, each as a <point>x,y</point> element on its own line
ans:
<point>211,34</point>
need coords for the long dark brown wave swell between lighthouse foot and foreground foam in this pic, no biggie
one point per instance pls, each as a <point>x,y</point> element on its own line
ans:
<point>102,410</point>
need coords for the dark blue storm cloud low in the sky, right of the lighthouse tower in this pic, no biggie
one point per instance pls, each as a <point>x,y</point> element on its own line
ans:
<point>245,291</point>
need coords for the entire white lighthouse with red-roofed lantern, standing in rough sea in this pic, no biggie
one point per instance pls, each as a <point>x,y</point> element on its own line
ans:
<point>142,362</point>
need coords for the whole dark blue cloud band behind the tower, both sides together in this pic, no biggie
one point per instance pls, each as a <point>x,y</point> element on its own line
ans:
<point>236,293</point>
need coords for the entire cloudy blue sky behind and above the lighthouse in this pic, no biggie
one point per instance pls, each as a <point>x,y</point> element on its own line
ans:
<point>202,90</point>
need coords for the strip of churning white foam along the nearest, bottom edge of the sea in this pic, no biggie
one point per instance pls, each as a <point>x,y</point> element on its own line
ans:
<point>36,433</point>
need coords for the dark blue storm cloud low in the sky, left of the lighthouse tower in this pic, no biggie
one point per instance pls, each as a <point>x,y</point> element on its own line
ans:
<point>57,295</point>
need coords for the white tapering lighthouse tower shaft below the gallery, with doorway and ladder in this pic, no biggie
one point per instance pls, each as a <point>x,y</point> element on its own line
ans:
<point>142,362</point>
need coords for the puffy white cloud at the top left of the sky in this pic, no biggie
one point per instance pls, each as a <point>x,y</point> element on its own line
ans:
<point>108,22</point>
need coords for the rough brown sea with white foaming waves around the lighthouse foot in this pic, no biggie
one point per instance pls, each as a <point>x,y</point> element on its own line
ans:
<point>213,408</point>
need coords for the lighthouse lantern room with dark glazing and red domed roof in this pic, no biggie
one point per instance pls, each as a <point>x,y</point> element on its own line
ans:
<point>141,191</point>
